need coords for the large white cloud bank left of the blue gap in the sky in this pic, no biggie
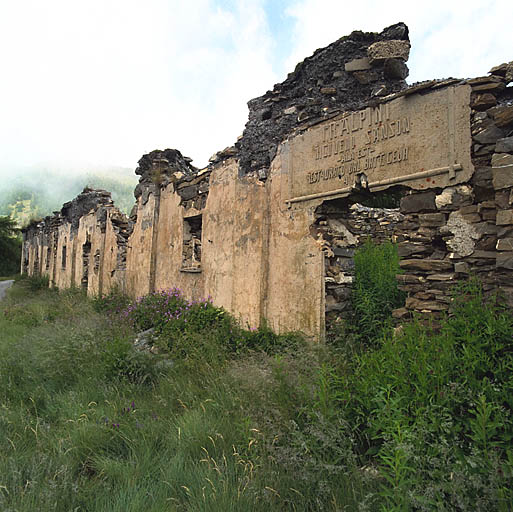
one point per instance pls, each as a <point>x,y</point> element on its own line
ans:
<point>106,81</point>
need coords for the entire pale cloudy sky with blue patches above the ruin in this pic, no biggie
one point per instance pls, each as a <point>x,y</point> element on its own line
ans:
<point>102,82</point>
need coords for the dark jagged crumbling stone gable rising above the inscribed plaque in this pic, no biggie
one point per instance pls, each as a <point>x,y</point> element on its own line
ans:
<point>346,75</point>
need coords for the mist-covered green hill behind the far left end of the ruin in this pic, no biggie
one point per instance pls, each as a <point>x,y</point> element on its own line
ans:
<point>34,192</point>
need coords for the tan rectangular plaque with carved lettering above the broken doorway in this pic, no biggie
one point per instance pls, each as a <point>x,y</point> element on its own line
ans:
<point>422,141</point>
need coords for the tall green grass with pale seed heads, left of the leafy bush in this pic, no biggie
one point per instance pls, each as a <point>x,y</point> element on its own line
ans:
<point>88,423</point>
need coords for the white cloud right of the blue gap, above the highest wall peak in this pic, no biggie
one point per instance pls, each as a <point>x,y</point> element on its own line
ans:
<point>449,38</point>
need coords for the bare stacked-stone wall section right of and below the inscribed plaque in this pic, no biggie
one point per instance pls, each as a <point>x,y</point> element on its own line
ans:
<point>457,231</point>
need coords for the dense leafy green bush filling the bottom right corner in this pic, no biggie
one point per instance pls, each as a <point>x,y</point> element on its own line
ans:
<point>429,405</point>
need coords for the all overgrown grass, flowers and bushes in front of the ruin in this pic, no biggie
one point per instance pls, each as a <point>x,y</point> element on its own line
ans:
<point>224,418</point>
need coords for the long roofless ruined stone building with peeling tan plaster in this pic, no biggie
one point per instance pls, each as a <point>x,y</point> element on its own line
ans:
<point>269,228</point>
